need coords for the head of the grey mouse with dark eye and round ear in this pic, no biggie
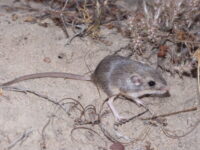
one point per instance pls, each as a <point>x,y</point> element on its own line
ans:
<point>149,82</point>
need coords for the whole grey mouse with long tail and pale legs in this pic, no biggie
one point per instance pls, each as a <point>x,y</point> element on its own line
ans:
<point>115,75</point>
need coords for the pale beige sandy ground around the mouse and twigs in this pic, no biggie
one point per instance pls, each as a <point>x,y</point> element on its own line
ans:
<point>29,122</point>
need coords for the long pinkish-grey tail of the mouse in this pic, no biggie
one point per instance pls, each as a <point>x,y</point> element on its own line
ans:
<point>47,75</point>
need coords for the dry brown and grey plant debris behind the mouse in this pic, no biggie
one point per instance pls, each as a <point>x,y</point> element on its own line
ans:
<point>170,29</point>
